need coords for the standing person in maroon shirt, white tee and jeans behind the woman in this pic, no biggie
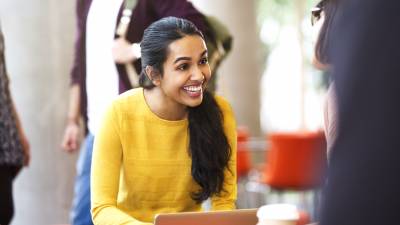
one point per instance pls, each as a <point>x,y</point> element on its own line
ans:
<point>98,74</point>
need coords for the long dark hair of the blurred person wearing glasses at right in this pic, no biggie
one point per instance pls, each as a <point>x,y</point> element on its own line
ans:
<point>329,8</point>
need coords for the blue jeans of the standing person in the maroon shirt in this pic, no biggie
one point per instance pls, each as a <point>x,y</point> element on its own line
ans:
<point>80,212</point>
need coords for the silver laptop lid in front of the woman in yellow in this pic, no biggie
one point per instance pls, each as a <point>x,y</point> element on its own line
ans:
<point>233,217</point>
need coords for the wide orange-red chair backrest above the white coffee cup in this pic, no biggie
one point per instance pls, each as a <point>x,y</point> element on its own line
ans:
<point>295,160</point>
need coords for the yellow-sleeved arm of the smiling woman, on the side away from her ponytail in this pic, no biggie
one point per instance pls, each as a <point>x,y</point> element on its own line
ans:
<point>105,174</point>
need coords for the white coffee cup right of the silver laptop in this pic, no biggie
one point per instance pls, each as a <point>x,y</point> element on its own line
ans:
<point>278,214</point>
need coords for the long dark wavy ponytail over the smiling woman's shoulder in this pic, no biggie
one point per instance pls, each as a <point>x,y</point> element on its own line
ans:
<point>209,147</point>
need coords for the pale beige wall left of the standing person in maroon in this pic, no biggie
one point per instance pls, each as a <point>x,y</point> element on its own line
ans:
<point>39,40</point>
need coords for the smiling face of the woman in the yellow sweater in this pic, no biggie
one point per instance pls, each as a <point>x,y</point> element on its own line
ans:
<point>186,71</point>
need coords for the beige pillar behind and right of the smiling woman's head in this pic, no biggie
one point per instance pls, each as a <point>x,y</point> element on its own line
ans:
<point>240,74</point>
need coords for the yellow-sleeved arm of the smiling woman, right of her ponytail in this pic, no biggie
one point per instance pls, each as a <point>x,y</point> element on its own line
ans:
<point>226,200</point>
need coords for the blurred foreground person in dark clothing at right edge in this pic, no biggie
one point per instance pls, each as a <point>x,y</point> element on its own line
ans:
<point>364,182</point>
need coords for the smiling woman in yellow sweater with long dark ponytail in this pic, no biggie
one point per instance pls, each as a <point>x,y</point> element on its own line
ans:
<point>170,145</point>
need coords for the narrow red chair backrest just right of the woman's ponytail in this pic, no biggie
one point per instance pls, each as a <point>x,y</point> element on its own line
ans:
<point>243,155</point>
